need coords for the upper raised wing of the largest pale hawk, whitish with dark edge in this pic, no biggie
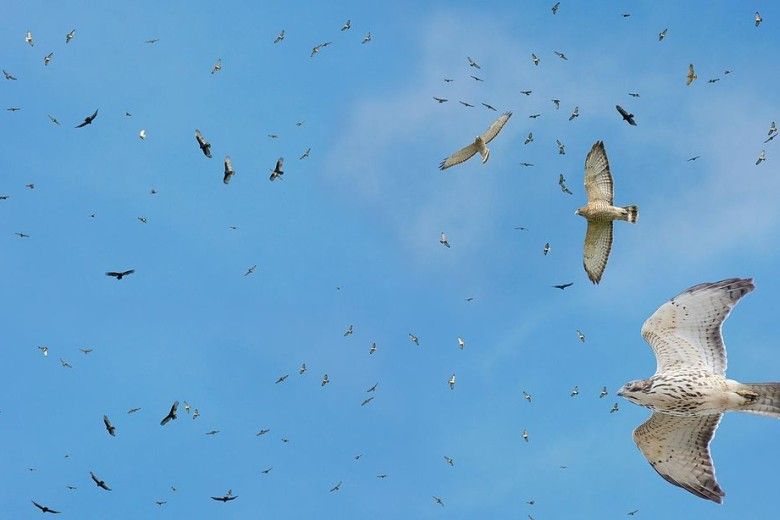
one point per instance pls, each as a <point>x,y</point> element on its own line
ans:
<point>686,330</point>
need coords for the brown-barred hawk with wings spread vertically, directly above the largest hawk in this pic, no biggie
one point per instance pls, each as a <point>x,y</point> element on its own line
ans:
<point>600,212</point>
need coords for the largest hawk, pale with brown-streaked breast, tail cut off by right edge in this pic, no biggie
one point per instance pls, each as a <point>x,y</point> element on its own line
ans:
<point>689,392</point>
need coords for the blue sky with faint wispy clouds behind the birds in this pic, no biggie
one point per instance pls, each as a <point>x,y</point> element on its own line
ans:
<point>364,213</point>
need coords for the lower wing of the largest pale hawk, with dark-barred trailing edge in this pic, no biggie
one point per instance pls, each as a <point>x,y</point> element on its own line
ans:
<point>678,448</point>
